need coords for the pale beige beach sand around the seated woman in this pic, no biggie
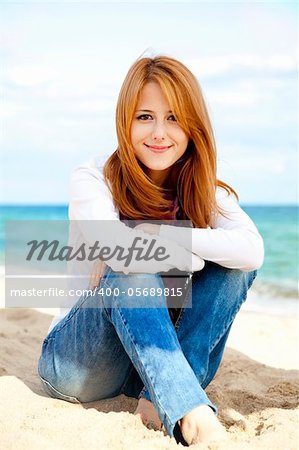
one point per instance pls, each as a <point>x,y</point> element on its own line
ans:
<point>256,391</point>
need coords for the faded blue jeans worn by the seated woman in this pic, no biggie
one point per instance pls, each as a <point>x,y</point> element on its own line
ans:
<point>102,348</point>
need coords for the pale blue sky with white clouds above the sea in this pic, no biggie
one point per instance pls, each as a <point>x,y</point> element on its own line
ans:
<point>63,63</point>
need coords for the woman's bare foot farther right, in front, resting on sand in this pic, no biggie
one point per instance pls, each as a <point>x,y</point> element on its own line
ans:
<point>201,425</point>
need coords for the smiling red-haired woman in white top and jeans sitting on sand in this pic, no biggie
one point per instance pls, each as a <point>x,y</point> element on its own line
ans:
<point>164,168</point>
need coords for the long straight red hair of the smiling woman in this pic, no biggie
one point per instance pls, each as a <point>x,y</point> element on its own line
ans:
<point>192,177</point>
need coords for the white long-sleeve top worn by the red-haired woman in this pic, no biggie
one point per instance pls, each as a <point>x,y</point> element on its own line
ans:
<point>232,241</point>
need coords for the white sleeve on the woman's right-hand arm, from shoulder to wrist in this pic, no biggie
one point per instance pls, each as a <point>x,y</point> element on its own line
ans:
<point>232,241</point>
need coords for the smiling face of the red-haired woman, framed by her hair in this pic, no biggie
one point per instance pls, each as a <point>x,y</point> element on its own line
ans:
<point>157,139</point>
